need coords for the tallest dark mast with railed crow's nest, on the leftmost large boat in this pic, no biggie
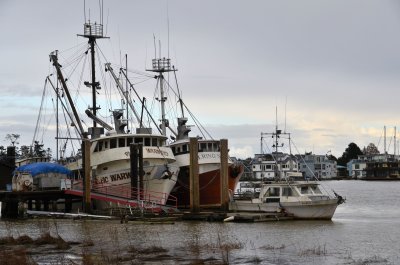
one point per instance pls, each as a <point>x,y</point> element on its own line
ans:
<point>93,32</point>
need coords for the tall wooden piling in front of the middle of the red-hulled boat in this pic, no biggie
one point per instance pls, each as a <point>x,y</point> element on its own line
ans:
<point>194,176</point>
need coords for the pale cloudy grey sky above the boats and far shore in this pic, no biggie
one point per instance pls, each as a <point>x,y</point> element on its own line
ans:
<point>325,71</point>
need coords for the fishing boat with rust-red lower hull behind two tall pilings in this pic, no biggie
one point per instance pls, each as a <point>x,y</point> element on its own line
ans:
<point>209,153</point>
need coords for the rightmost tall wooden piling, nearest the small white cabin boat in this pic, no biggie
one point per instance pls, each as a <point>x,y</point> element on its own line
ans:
<point>224,175</point>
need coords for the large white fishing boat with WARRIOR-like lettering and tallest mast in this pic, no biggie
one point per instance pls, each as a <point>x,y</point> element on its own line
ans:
<point>110,158</point>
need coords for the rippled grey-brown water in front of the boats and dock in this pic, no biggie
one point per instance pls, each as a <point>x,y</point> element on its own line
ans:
<point>364,230</point>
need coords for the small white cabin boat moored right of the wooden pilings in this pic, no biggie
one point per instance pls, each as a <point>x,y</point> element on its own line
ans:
<point>302,199</point>
